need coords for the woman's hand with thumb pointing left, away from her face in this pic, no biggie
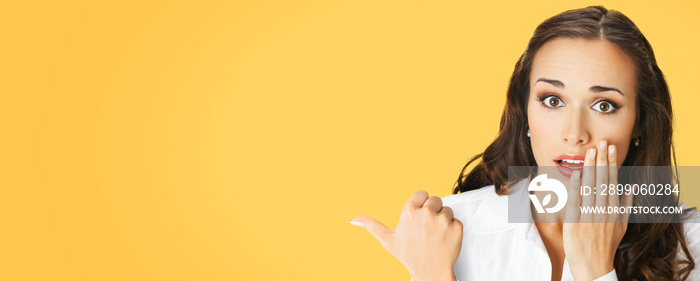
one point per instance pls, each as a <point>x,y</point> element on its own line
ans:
<point>427,240</point>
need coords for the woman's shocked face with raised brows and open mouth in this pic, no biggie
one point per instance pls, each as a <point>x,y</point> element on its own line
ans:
<point>581,92</point>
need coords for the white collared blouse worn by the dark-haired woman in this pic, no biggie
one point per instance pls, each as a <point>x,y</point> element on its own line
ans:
<point>493,249</point>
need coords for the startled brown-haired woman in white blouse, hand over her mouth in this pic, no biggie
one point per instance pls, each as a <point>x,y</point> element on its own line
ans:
<point>587,89</point>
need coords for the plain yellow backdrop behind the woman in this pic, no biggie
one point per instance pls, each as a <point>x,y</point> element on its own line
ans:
<point>235,140</point>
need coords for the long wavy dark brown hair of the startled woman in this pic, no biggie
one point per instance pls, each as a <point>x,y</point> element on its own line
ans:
<point>648,251</point>
